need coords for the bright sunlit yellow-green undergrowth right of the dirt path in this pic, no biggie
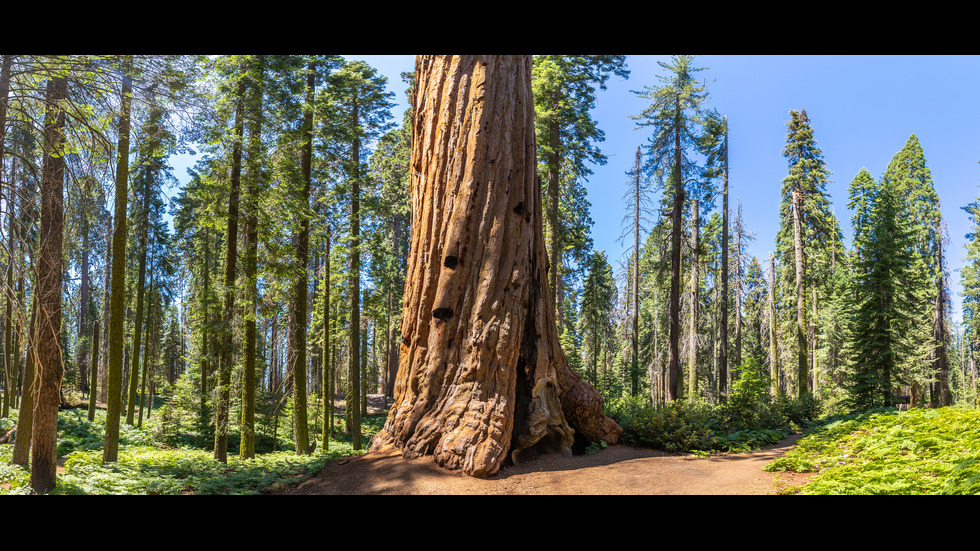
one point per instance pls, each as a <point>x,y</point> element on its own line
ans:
<point>884,451</point>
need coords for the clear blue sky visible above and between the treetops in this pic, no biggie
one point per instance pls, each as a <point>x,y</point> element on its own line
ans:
<point>862,109</point>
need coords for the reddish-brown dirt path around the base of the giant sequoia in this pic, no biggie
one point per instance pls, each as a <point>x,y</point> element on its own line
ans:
<point>616,470</point>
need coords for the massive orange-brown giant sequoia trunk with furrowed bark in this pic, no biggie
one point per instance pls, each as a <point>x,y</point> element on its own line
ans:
<point>481,375</point>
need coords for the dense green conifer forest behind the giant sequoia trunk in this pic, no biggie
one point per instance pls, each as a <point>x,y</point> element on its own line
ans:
<point>271,284</point>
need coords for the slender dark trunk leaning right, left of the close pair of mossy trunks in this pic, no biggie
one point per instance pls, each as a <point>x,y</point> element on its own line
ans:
<point>225,350</point>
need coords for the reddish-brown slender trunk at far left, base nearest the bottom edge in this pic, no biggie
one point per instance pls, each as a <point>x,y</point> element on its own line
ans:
<point>50,371</point>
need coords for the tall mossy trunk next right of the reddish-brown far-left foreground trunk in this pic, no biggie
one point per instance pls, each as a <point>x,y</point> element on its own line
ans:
<point>117,298</point>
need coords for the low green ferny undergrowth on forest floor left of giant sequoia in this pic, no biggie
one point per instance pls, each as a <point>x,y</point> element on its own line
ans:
<point>145,466</point>
